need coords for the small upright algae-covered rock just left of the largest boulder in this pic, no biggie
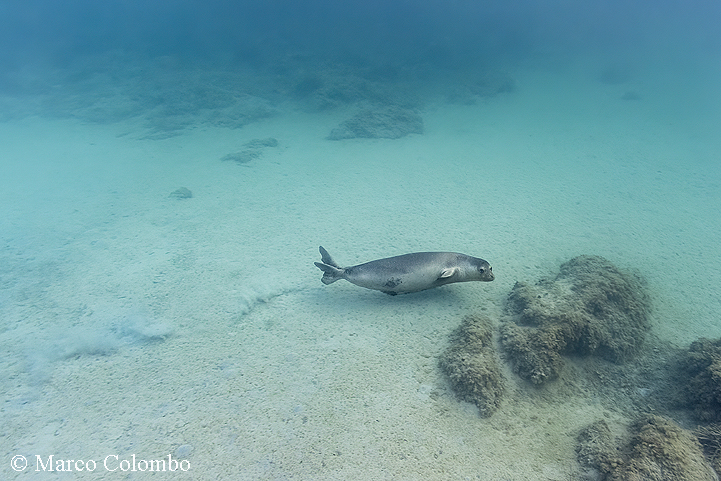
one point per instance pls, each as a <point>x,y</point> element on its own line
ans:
<point>472,366</point>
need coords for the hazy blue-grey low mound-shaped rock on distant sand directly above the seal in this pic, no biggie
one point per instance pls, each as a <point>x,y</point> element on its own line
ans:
<point>391,122</point>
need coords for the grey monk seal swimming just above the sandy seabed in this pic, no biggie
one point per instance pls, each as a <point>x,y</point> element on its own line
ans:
<point>409,272</point>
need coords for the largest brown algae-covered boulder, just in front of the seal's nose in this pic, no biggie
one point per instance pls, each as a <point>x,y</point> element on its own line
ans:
<point>590,308</point>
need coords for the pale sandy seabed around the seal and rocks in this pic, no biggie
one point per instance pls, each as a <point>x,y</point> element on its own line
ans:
<point>135,323</point>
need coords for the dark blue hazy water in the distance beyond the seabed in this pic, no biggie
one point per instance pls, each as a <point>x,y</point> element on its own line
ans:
<point>456,35</point>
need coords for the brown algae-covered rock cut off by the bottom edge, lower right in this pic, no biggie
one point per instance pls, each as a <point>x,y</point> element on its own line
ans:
<point>657,449</point>
